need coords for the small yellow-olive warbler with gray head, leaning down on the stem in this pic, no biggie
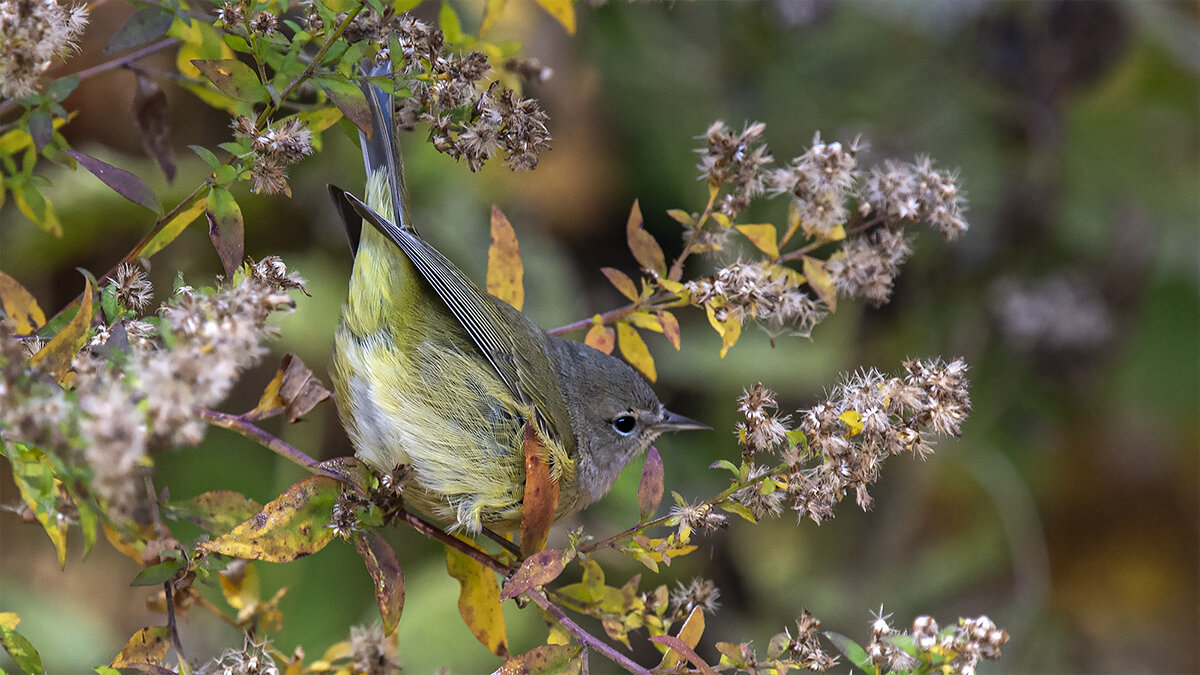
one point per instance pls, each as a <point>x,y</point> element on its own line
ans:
<point>435,374</point>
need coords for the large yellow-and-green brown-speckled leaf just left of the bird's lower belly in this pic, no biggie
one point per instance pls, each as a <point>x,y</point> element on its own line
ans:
<point>291,527</point>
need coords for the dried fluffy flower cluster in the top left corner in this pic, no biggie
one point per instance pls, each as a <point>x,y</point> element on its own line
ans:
<point>33,33</point>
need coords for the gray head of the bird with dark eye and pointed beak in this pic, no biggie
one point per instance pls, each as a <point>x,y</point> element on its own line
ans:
<point>615,414</point>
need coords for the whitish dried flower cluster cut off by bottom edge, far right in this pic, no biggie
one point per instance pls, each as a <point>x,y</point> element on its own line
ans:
<point>958,652</point>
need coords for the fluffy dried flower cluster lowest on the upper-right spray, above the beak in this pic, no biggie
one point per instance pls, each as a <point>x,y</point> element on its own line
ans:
<point>764,292</point>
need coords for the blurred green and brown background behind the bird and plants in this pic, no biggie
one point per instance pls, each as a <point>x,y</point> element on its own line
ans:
<point>1067,512</point>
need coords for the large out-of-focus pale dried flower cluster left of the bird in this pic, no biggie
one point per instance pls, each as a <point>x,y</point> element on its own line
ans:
<point>135,392</point>
